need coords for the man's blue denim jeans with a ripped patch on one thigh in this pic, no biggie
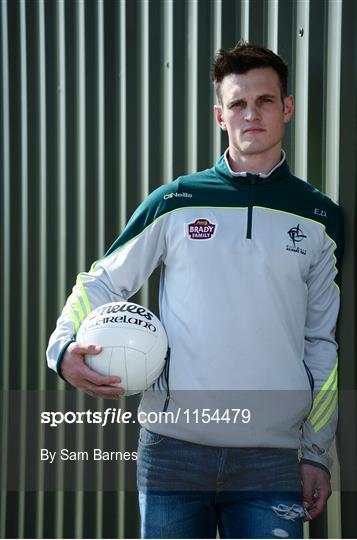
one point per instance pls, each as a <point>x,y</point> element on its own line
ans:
<point>189,490</point>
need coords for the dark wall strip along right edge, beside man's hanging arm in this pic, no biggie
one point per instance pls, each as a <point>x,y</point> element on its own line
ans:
<point>347,433</point>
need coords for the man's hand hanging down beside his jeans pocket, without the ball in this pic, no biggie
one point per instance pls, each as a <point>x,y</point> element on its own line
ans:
<point>316,489</point>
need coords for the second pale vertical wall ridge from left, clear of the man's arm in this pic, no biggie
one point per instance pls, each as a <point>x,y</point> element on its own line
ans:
<point>24,266</point>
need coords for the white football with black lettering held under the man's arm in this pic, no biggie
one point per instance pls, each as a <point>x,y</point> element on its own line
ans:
<point>133,340</point>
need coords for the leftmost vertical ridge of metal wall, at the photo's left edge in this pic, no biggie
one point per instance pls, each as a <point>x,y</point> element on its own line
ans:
<point>5,211</point>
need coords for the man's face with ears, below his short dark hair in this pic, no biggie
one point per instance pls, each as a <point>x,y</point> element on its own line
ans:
<point>252,112</point>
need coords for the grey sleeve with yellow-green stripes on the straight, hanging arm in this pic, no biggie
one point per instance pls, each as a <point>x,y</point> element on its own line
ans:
<point>321,348</point>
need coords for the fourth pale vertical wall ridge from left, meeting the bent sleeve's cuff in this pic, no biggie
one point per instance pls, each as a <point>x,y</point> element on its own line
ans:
<point>61,165</point>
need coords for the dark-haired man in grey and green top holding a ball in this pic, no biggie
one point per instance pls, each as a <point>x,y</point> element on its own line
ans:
<point>249,298</point>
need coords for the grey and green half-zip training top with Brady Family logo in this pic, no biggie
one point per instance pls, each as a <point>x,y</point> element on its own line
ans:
<point>249,297</point>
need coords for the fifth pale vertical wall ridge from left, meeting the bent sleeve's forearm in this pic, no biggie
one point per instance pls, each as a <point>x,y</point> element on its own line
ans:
<point>81,227</point>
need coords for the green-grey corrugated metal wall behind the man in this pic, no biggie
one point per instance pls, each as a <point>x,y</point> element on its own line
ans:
<point>101,101</point>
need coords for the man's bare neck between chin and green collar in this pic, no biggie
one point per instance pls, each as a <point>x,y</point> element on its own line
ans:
<point>254,163</point>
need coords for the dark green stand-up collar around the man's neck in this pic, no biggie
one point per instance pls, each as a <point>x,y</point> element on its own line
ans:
<point>278,172</point>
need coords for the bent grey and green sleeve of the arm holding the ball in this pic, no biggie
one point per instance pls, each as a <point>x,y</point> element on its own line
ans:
<point>115,277</point>
